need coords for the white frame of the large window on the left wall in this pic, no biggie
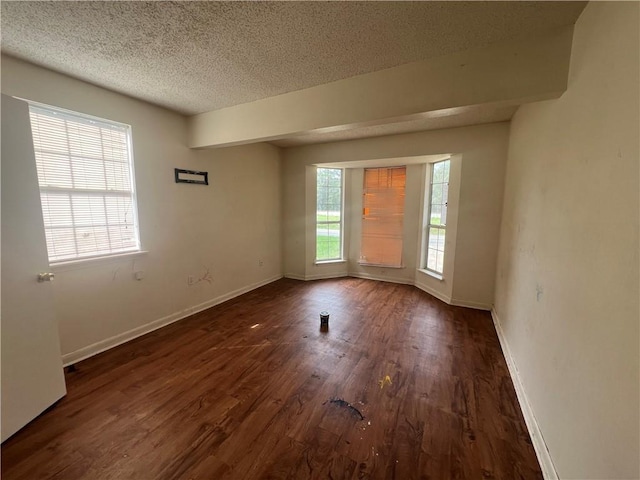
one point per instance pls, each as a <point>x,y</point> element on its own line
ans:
<point>82,118</point>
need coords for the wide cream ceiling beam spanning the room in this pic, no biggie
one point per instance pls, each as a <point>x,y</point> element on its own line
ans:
<point>507,73</point>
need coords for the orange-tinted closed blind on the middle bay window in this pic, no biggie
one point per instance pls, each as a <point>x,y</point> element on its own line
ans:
<point>383,216</point>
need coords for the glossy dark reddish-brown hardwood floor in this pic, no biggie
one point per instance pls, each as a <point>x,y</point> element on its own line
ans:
<point>243,390</point>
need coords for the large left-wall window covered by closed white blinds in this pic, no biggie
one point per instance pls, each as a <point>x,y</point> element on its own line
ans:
<point>85,173</point>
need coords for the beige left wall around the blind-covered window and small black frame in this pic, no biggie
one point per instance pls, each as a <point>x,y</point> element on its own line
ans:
<point>226,227</point>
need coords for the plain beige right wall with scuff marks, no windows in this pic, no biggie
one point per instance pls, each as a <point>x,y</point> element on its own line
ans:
<point>567,285</point>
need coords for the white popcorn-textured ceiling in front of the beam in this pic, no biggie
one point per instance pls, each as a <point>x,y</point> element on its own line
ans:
<point>194,57</point>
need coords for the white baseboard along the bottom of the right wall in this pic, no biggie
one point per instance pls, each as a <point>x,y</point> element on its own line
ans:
<point>542,452</point>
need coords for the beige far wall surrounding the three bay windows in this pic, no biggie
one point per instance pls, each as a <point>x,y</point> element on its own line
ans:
<point>480,157</point>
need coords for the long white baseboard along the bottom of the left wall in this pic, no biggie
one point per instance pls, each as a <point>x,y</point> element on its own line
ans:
<point>108,343</point>
